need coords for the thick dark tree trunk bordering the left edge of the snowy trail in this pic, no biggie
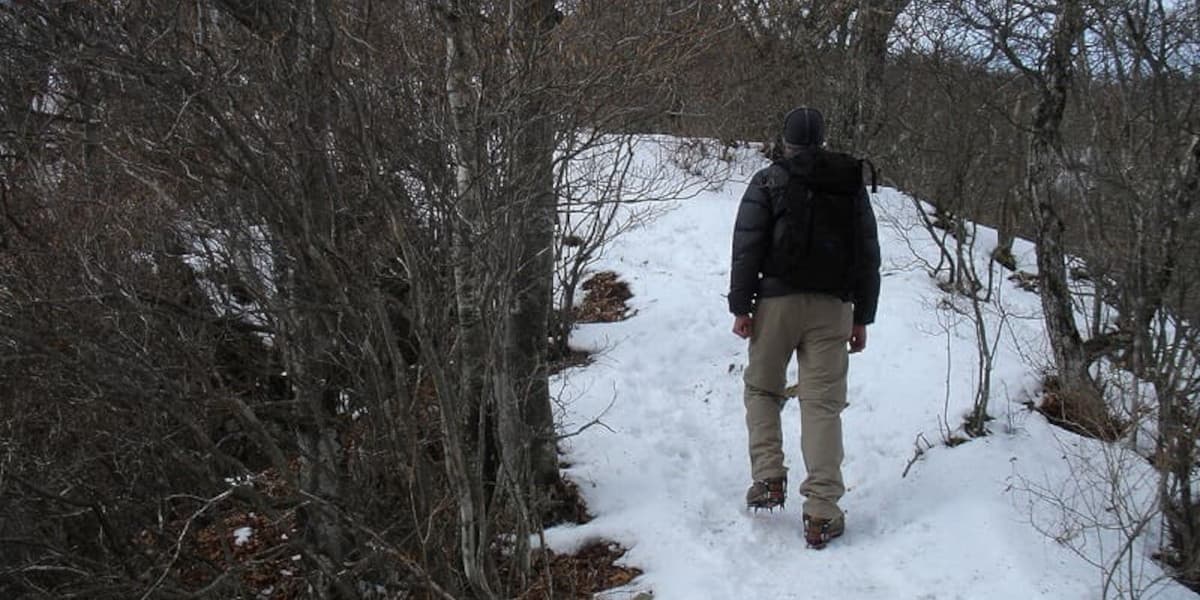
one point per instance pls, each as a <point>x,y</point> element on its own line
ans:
<point>526,422</point>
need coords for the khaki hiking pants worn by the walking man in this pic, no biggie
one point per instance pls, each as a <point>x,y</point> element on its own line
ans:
<point>817,328</point>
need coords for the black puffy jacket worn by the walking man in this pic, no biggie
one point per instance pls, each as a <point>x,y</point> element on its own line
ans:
<point>758,235</point>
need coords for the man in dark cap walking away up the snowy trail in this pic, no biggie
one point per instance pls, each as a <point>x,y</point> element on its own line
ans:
<point>806,280</point>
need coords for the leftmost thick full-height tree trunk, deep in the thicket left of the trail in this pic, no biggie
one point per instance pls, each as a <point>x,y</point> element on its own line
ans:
<point>308,52</point>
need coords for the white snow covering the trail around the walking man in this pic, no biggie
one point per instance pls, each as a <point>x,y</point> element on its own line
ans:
<point>667,475</point>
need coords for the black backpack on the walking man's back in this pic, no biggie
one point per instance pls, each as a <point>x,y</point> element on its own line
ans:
<point>820,244</point>
